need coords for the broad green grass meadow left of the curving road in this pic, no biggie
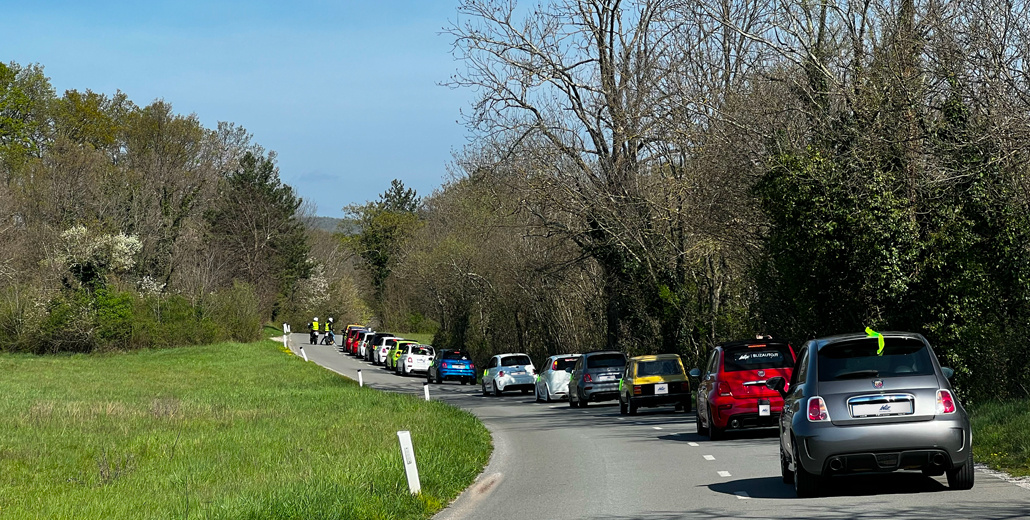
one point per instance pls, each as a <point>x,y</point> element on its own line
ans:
<point>230,431</point>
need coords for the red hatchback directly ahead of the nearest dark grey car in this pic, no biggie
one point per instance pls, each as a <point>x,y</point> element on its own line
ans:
<point>733,393</point>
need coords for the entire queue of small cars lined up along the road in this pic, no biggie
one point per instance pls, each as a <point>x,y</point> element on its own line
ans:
<point>860,403</point>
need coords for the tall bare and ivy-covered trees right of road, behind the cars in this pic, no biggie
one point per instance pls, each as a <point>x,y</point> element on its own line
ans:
<point>660,176</point>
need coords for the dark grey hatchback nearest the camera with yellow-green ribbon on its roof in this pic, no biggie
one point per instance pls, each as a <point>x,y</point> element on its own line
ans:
<point>856,404</point>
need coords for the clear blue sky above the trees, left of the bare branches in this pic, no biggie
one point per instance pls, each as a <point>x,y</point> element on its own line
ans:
<point>346,92</point>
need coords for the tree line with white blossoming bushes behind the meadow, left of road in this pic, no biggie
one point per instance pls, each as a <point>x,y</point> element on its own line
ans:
<point>131,227</point>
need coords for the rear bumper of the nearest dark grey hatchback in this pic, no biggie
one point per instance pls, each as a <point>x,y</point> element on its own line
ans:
<point>882,447</point>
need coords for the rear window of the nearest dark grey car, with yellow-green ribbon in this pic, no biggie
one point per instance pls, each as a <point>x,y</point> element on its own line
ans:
<point>863,359</point>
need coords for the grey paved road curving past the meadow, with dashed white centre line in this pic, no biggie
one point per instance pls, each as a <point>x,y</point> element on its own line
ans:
<point>555,462</point>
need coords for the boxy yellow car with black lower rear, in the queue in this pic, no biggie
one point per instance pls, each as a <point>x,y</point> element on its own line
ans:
<point>653,382</point>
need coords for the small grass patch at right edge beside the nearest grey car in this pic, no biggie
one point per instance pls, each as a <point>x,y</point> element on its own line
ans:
<point>1001,436</point>
